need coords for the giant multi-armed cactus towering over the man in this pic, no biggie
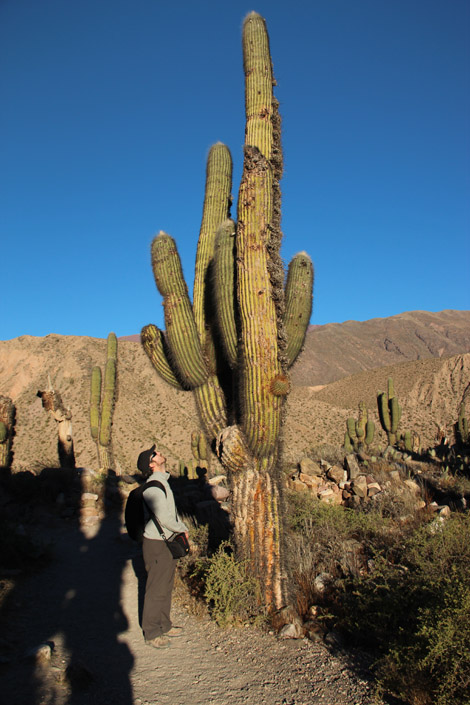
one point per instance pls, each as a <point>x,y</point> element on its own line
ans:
<point>231,347</point>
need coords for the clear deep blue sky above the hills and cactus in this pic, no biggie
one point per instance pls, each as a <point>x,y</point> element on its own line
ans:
<point>109,107</point>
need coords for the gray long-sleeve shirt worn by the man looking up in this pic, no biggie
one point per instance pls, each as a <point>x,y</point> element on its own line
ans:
<point>163,507</point>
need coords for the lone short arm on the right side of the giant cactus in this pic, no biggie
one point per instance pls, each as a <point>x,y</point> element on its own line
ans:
<point>299,287</point>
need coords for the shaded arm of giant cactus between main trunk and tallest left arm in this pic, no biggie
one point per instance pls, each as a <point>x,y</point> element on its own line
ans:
<point>224,289</point>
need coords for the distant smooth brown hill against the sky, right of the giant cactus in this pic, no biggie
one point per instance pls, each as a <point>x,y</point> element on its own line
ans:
<point>337,350</point>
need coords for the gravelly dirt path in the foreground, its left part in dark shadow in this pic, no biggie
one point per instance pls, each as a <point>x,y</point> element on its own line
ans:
<point>86,602</point>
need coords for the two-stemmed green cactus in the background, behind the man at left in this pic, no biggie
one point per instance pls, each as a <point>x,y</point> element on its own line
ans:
<point>102,404</point>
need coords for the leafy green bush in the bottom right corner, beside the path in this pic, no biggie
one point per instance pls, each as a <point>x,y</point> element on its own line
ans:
<point>414,607</point>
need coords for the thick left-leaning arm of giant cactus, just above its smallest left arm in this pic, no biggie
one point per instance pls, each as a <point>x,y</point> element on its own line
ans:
<point>182,337</point>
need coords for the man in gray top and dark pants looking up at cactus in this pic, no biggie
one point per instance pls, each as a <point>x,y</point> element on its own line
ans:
<point>159,563</point>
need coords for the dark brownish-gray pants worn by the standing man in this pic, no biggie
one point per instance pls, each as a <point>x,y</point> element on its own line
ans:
<point>160,567</point>
